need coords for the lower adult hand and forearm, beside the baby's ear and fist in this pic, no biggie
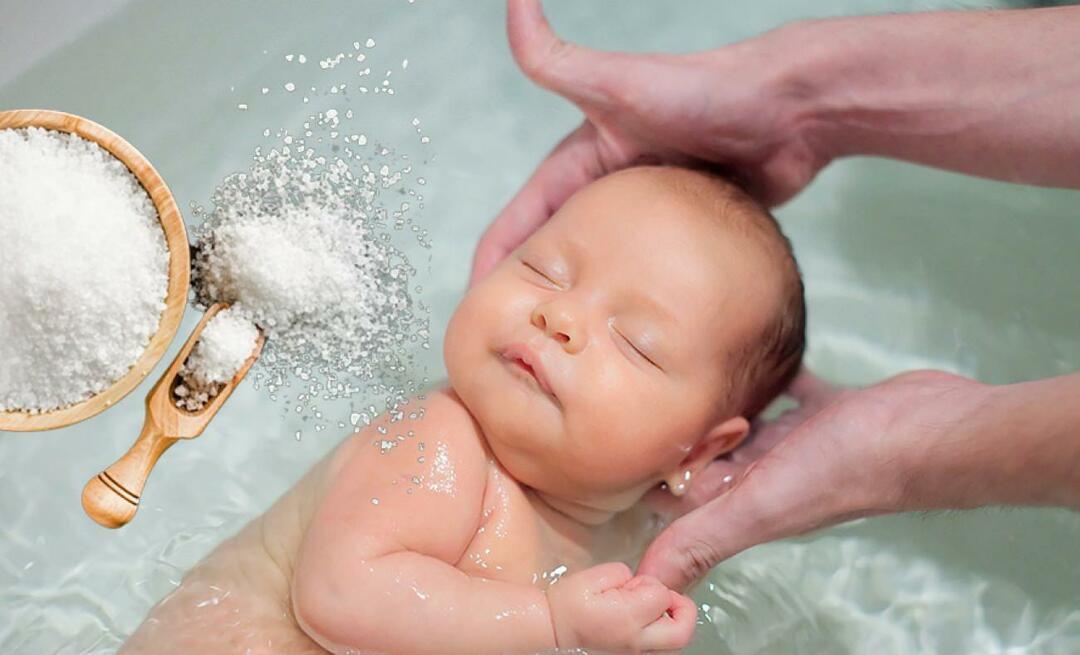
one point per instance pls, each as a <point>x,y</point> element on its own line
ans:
<point>922,440</point>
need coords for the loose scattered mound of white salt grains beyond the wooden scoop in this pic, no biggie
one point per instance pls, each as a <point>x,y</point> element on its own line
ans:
<point>301,244</point>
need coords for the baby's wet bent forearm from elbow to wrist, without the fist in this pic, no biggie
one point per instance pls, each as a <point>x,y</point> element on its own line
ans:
<point>406,603</point>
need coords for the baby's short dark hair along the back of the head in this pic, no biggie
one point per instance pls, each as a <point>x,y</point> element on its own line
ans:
<point>765,364</point>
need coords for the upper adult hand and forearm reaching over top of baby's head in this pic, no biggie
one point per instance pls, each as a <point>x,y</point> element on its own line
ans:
<point>990,93</point>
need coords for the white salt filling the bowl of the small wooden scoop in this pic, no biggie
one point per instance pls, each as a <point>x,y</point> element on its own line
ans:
<point>226,343</point>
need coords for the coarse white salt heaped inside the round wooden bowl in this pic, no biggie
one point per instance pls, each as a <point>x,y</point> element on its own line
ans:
<point>85,270</point>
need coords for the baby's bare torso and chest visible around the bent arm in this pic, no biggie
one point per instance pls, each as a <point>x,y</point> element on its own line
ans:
<point>238,599</point>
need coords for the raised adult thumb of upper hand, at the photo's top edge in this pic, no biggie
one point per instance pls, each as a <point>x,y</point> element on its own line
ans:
<point>582,75</point>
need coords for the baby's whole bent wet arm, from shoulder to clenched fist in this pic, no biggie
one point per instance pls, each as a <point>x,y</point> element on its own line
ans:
<point>381,577</point>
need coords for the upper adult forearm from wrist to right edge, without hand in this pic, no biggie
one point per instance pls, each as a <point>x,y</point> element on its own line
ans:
<point>995,95</point>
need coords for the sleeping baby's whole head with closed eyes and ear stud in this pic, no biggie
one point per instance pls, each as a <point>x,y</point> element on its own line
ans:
<point>631,339</point>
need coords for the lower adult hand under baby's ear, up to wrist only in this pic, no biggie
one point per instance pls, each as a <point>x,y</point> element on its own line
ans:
<point>911,443</point>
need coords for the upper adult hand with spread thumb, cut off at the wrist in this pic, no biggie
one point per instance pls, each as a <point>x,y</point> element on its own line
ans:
<point>726,109</point>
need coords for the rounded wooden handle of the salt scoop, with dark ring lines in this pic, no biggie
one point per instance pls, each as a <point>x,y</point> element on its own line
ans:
<point>112,498</point>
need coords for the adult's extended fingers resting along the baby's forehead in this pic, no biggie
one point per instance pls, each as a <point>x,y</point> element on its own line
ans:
<point>573,165</point>
